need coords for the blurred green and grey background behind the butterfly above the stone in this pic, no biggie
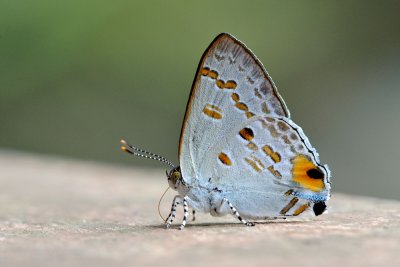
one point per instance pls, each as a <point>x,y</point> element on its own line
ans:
<point>76,76</point>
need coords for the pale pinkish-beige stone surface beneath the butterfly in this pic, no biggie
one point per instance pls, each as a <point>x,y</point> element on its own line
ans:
<point>59,212</point>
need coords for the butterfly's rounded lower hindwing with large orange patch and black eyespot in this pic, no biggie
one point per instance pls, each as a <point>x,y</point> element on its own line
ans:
<point>273,170</point>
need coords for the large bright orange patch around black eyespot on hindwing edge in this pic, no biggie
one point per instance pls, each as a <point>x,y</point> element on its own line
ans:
<point>301,165</point>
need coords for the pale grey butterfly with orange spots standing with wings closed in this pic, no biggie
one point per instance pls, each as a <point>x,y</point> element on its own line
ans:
<point>239,151</point>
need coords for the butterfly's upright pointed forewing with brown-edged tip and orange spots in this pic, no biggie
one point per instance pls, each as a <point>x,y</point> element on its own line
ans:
<point>230,87</point>
